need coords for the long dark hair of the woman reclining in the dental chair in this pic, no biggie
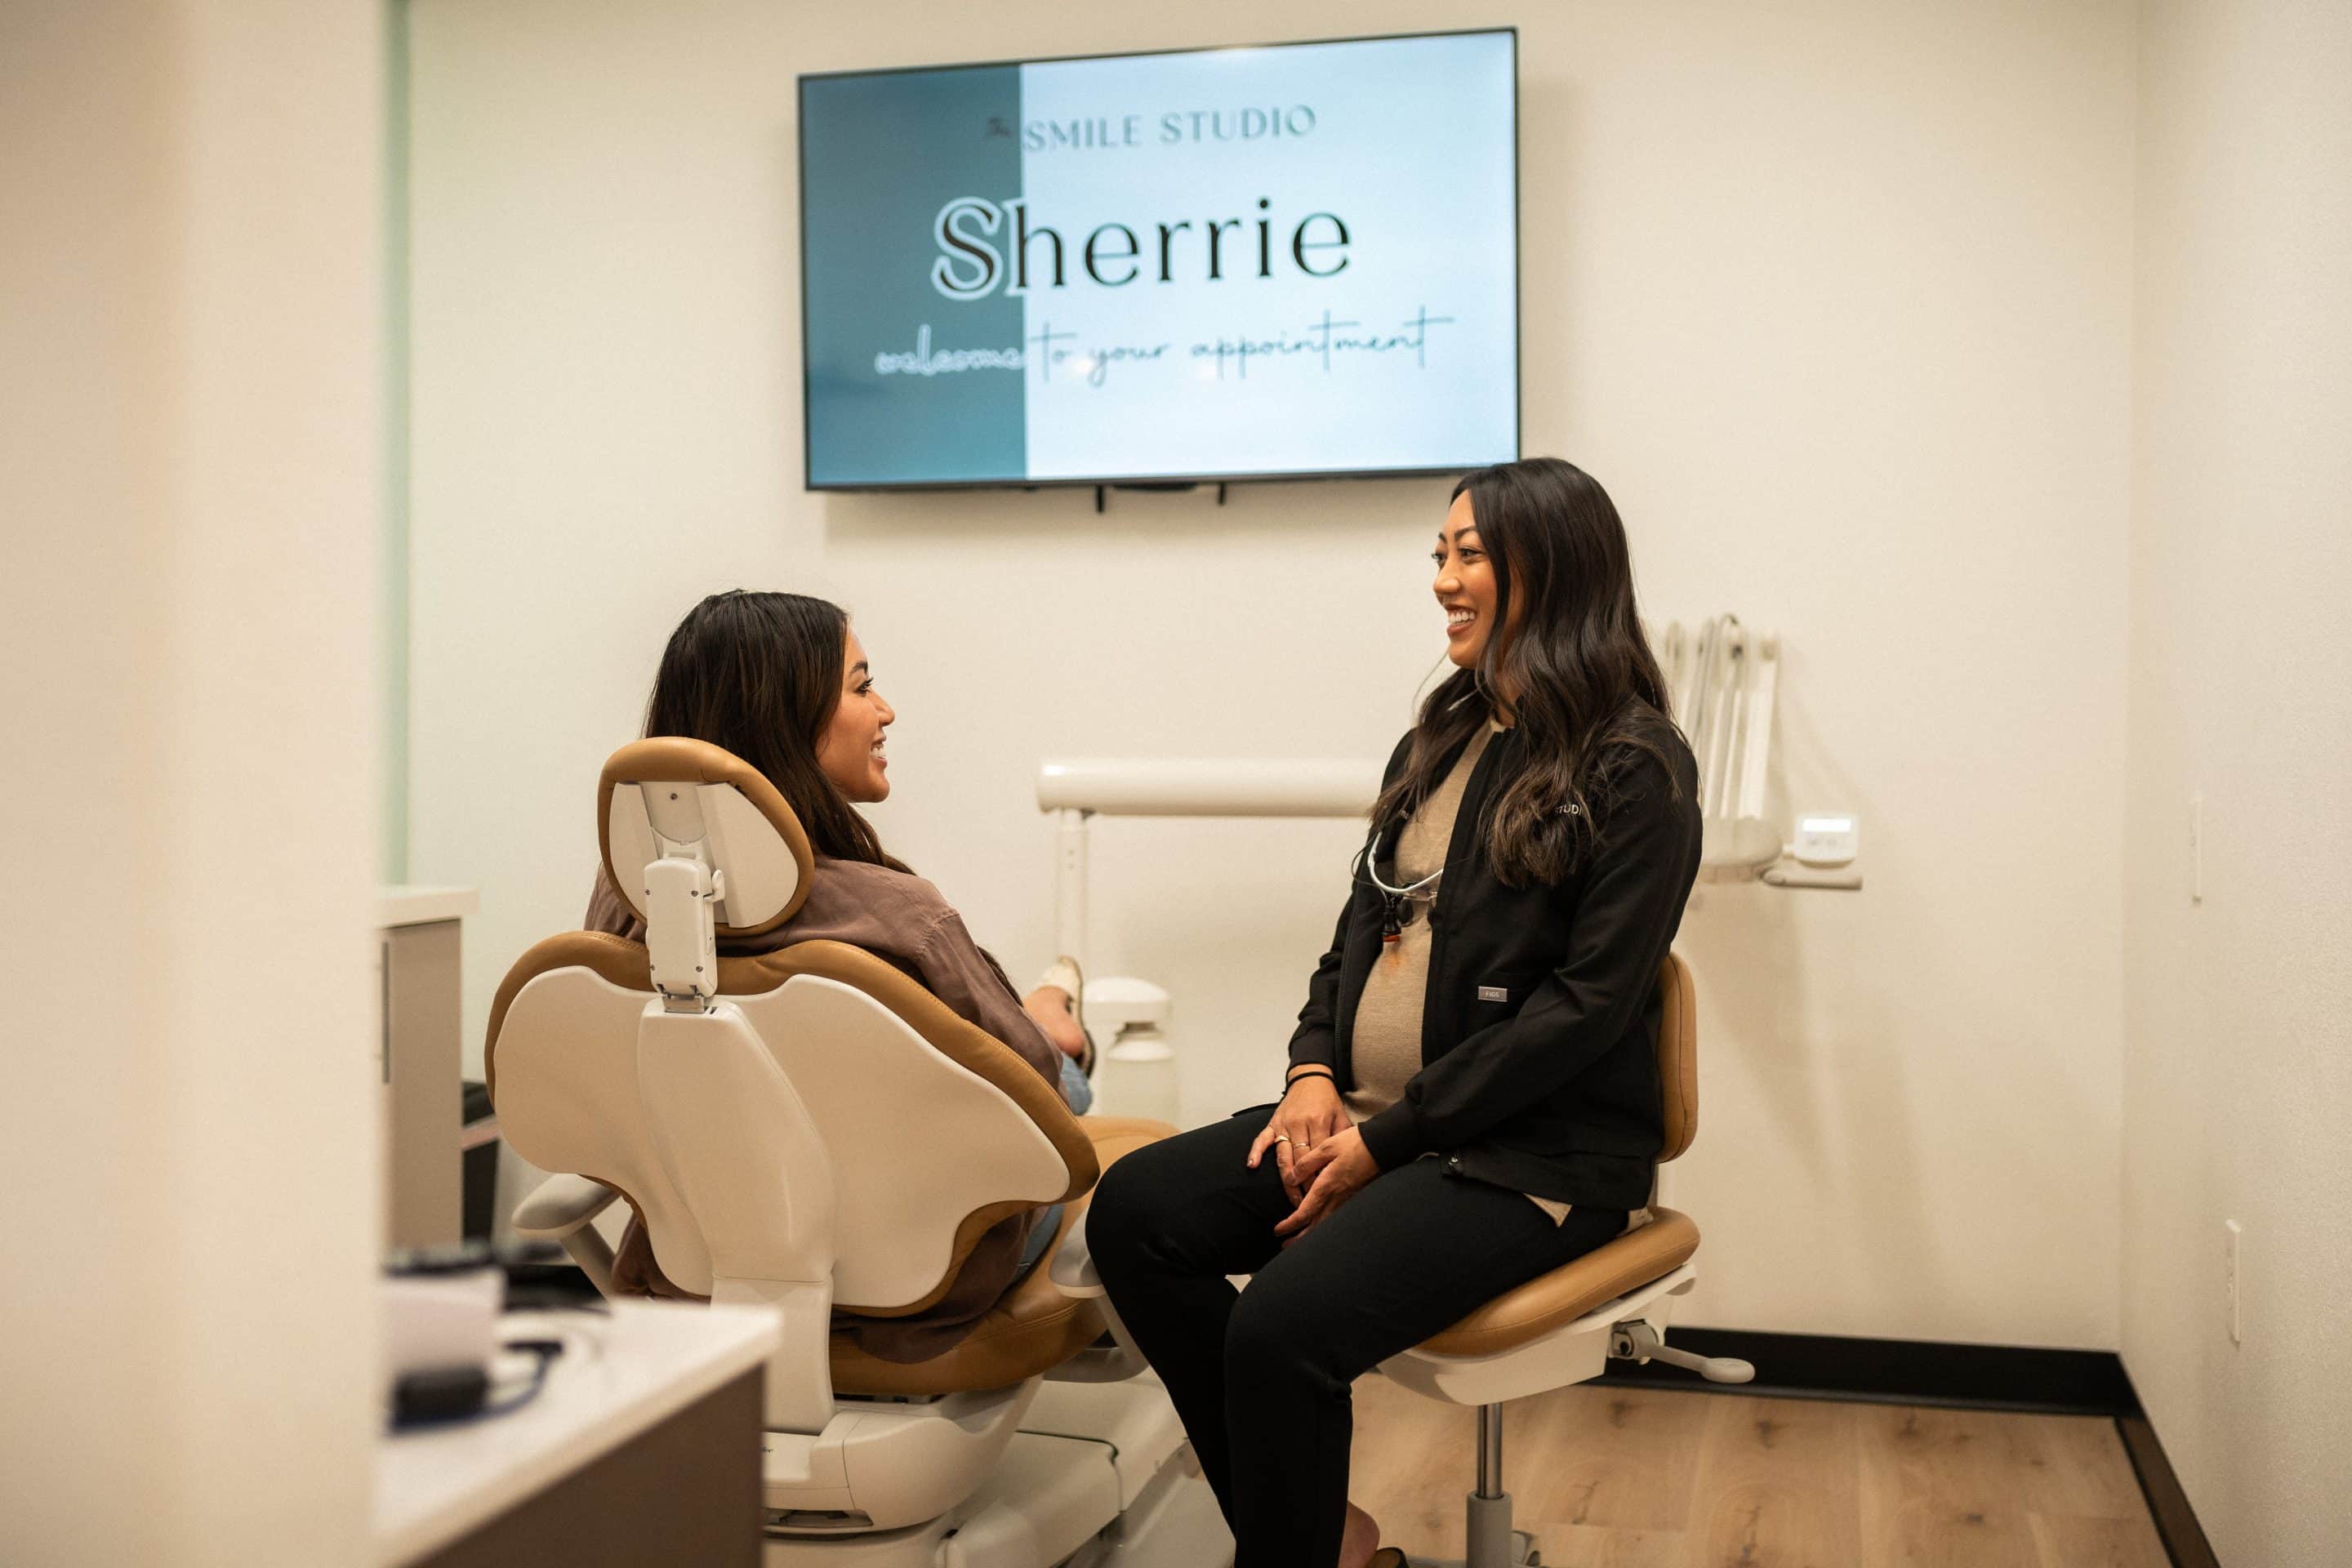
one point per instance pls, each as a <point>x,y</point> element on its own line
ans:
<point>761,676</point>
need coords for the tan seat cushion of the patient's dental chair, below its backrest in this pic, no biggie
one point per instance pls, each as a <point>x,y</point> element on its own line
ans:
<point>1029,1332</point>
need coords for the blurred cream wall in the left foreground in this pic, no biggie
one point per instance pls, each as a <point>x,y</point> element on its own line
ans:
<point>189,460</point>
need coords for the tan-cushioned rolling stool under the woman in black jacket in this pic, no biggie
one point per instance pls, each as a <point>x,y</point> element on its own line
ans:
<point>1565,1327</point>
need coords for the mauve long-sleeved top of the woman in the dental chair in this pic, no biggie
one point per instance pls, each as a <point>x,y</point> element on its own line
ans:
<point>907,923</point>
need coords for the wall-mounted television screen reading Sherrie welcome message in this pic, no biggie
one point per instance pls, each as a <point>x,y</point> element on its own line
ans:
<point>1217,264</point>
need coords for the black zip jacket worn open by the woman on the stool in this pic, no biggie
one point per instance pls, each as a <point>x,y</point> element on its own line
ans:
<point>1539,1064</point>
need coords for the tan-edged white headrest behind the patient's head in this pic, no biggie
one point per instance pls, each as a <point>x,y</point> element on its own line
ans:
<point>674,791</point>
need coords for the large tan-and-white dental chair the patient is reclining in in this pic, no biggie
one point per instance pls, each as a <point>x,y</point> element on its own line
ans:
<point>817,1134</point>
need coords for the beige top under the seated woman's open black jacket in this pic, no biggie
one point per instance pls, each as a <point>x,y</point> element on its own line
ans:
<point>1384,1050</point>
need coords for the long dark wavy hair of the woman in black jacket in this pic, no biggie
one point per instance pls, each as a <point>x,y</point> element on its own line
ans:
<point>1584,688</point>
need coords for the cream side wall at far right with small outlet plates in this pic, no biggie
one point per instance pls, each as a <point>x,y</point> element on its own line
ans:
<point>2238,1071</point>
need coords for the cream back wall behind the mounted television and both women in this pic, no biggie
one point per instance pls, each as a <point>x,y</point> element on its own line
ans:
<point>1833,297</point>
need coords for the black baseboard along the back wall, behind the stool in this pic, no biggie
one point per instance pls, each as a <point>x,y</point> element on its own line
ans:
<point>1899,1372</point>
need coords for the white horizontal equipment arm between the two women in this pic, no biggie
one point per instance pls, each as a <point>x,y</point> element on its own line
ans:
<point>1208,786</point>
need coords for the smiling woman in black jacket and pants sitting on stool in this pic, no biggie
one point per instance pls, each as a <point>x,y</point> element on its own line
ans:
<point>1471,1092</point>
